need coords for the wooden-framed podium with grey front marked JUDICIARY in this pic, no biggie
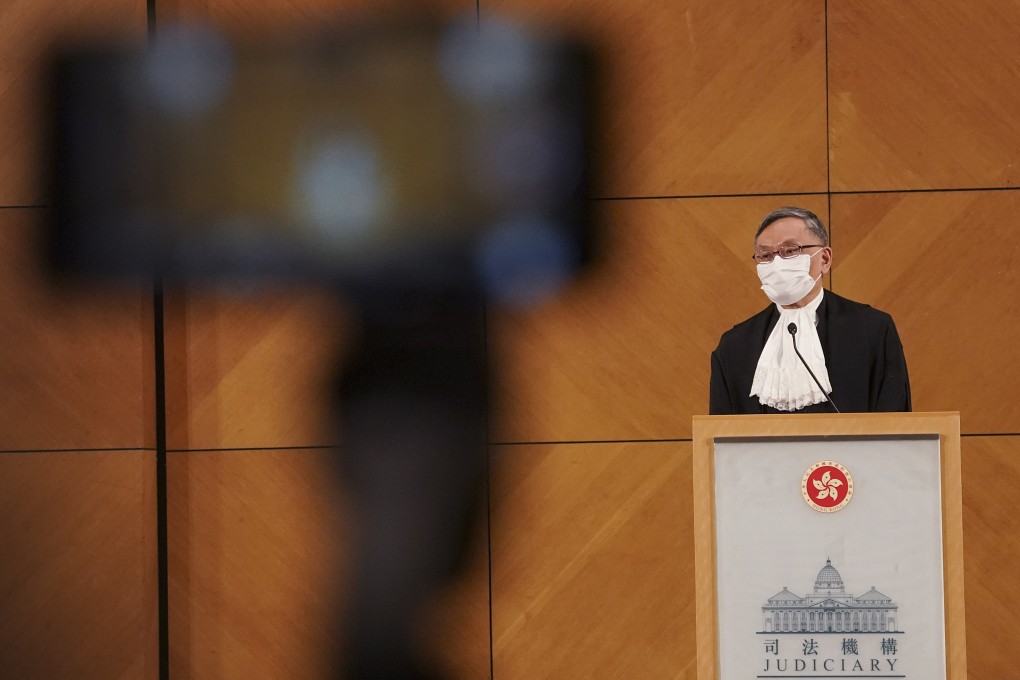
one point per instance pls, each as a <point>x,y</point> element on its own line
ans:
<point>862,500</point>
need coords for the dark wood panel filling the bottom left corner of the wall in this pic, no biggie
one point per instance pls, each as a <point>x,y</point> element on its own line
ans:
<point>78,578</point>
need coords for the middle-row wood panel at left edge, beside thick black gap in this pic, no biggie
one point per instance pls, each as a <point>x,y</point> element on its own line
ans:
<point>76,360</point>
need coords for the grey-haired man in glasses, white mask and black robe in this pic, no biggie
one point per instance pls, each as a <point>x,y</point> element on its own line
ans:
<point>863,356</point>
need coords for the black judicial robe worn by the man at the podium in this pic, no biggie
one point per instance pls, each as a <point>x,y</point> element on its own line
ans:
<point>863,356</point>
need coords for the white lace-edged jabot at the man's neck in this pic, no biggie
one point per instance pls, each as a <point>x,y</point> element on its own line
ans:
<point>781,380</point>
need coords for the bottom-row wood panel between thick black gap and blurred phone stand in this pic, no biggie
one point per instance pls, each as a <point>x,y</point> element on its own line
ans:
<point>256,564</point>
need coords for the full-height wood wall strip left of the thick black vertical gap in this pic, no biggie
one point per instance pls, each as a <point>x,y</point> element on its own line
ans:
<point>78,577</point>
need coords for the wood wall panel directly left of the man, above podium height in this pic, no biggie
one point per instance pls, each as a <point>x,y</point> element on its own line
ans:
<point>626,354</point>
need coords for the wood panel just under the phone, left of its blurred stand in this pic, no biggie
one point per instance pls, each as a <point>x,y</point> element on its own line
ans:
<point>251,370</point>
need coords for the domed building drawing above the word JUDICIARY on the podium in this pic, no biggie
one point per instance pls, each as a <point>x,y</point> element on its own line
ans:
<point>830,609</point>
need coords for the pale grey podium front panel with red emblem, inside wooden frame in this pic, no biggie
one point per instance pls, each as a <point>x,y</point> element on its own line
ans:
<point>808,586</point>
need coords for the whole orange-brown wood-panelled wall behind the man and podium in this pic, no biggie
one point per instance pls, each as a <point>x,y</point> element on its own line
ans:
<point>591,544</point>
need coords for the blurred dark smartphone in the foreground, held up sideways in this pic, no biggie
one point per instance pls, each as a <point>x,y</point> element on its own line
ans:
<point>418,152</point>
